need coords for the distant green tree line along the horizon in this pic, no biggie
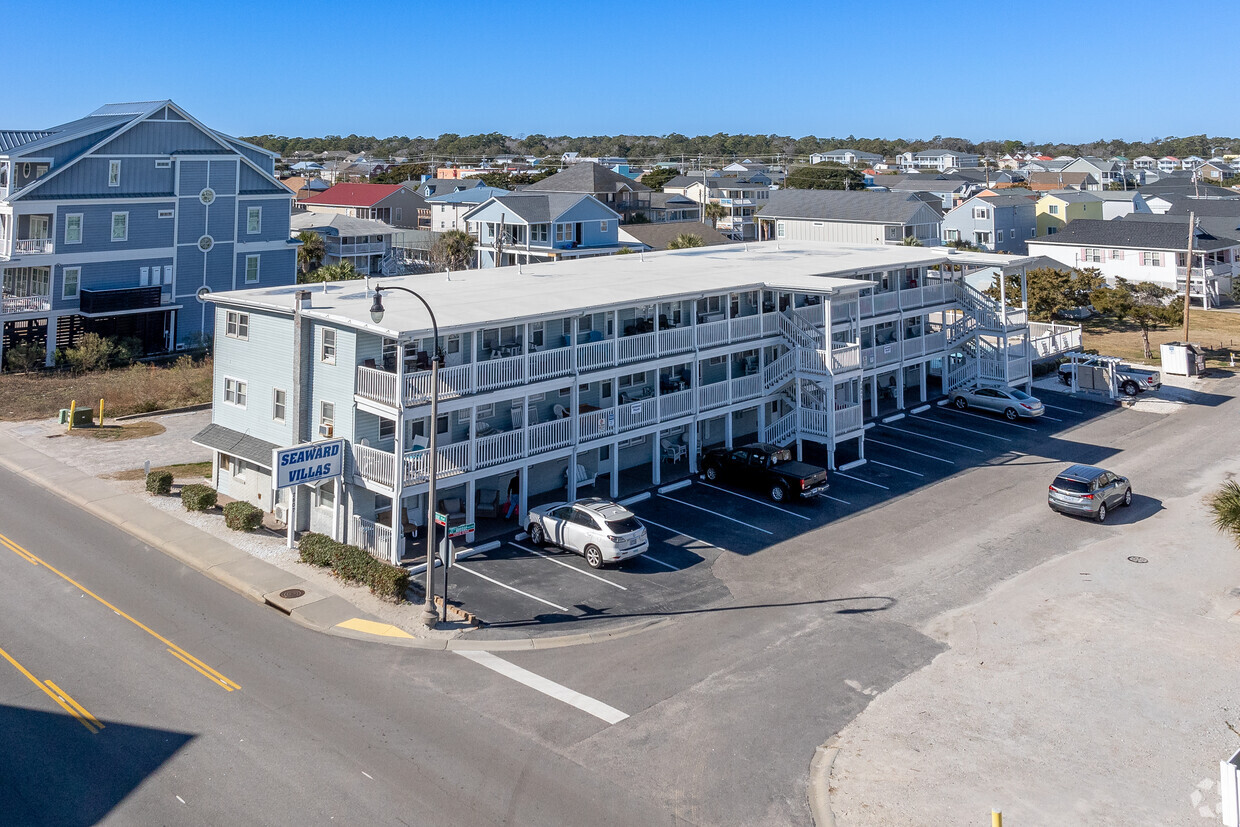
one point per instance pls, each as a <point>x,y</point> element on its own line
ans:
<point>715,148</point>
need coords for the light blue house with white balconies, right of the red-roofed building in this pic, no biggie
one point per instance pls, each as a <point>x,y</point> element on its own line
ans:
<point>542,228</point>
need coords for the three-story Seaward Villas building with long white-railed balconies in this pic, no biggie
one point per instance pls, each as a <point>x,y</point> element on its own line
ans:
<point>596,376</point>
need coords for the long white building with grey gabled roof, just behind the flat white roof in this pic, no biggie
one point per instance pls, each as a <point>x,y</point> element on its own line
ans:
<point>856,218</point>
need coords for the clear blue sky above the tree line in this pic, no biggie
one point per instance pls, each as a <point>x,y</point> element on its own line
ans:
<point>1041,73</point>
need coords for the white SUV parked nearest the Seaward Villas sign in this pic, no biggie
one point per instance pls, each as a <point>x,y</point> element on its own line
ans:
<point>598,530</point>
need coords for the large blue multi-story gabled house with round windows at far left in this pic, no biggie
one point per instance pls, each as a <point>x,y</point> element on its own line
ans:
<point>123,224</point>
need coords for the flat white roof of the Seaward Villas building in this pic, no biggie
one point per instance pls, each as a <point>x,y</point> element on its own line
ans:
<point>471,299</point>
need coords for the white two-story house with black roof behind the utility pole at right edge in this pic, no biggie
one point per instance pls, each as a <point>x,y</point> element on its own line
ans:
<point>1153,250</point>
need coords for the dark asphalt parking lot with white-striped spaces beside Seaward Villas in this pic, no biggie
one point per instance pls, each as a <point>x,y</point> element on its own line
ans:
<point>520,587</point>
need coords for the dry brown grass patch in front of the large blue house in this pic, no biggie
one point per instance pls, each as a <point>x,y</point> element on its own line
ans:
<point>137,389</point>
